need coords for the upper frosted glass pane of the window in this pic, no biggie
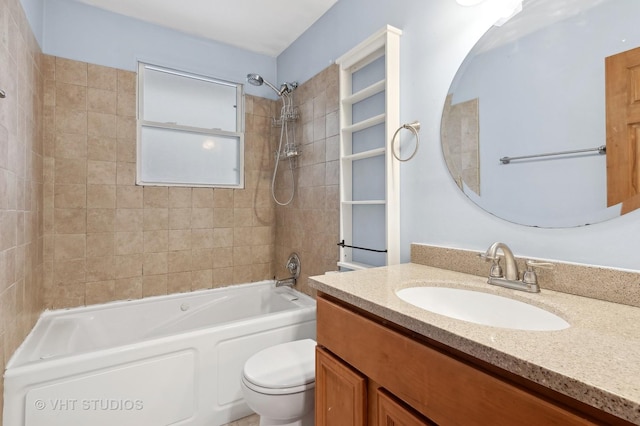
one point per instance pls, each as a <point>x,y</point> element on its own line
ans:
<point>187,100</point>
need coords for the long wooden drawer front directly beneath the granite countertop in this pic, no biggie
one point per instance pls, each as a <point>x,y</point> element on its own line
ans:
<point>444,389</point>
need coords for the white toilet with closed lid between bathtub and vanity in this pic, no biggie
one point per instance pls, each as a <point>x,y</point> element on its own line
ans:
<point>278,383</point>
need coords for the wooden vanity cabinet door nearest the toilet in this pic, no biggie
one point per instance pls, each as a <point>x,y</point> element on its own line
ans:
<point>341,392</point>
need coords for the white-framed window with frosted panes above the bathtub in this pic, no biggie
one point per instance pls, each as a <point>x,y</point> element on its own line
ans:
<point>190,130</point>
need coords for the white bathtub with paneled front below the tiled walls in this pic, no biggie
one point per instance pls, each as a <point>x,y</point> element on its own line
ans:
<point>167,360</point>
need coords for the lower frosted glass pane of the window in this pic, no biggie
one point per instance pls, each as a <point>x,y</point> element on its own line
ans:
<point>203,160</point>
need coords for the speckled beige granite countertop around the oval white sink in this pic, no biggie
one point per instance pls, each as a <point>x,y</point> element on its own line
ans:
<point>596,360</point>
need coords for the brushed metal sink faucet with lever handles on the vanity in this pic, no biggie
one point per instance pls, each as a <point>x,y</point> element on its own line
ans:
<point>510,278</point>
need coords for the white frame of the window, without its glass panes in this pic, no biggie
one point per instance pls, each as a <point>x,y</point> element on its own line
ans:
<point>142,123</point>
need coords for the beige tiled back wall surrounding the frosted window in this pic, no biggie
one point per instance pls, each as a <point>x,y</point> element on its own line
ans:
<point>108,239</point>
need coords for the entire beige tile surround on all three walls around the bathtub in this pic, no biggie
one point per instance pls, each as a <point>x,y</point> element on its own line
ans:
<point>76,230</point>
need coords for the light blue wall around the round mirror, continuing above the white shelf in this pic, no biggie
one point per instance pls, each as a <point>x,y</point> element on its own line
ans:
<point>437,35</point>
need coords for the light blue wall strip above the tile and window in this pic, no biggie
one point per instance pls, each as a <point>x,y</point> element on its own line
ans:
<point>76,31</point>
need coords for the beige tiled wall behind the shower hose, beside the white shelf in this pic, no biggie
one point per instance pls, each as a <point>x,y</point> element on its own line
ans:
<point>310,225</point>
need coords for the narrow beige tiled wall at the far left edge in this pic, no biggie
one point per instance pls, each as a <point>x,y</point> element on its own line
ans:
<point>21,136</point>
